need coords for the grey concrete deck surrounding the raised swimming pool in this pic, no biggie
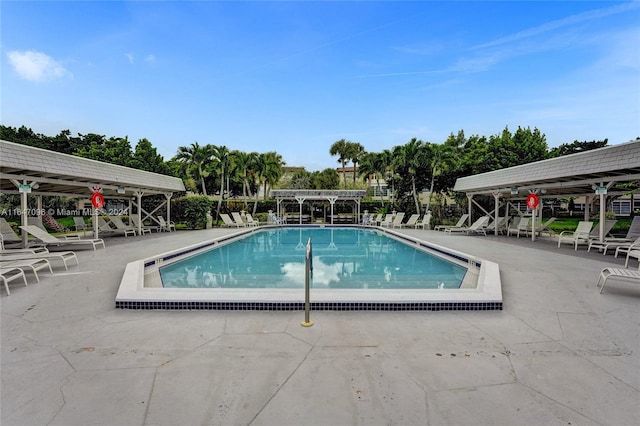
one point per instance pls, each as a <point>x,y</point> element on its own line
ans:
<point>558,353</point>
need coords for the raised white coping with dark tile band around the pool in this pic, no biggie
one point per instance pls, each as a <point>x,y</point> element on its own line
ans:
<point>132,294</point>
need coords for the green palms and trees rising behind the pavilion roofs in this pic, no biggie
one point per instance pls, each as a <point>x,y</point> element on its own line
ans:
<point>406,169</point>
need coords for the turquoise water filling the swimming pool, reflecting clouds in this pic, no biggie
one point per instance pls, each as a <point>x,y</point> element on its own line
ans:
<point>347,258</point>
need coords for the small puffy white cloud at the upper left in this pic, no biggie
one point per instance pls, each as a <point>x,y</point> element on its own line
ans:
<point>36,66</point>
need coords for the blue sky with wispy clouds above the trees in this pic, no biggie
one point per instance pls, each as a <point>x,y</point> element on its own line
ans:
<point>297,76</point>
